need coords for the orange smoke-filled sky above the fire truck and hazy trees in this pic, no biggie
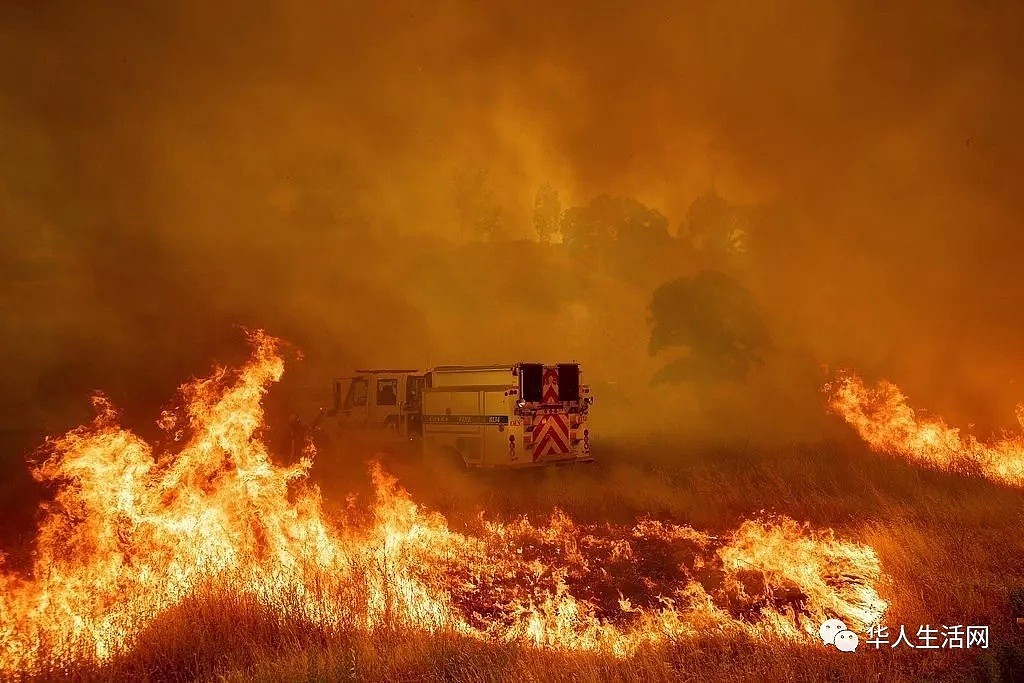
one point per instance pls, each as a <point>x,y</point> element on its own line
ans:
<point>170,172</point>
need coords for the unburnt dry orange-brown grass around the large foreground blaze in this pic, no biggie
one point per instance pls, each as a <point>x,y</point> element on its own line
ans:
<point>951,549</point>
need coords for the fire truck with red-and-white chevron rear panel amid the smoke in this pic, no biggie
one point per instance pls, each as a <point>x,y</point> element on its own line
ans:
<point>490,416</point>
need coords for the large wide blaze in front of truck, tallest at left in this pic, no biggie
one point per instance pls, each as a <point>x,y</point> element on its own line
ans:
<point>135,531</point>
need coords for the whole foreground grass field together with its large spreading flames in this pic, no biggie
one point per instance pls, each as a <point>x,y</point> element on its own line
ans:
<point>206,561</point>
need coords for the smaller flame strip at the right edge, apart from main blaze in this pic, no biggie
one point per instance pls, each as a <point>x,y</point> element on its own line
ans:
<point>883,418</point>
